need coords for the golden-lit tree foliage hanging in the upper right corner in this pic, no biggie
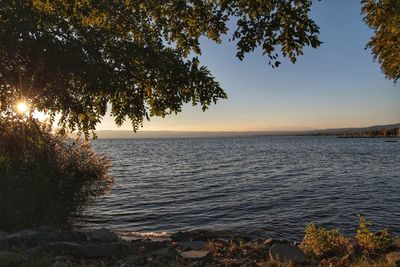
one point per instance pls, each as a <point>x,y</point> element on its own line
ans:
<point>383,17</point>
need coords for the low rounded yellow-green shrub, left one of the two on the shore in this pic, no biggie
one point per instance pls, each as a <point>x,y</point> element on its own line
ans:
<point>323,243</point>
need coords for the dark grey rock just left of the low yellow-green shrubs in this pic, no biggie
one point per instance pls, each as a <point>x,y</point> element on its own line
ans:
<point>286,253</point>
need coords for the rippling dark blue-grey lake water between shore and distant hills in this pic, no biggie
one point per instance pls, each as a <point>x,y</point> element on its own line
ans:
<point>263,186</point>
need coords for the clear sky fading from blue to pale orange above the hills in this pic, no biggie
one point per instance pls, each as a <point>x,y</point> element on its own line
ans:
<point>336,85</point>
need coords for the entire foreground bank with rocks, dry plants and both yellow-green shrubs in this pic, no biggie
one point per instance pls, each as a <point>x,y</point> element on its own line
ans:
<point>320,247</point>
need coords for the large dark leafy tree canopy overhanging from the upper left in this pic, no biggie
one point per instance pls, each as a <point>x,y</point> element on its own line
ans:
<point>136,56</point>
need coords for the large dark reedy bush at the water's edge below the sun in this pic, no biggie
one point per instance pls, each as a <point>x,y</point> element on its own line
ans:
<point>44,177</point>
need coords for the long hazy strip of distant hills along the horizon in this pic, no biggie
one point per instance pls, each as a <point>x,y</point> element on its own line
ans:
<point>122,134</point>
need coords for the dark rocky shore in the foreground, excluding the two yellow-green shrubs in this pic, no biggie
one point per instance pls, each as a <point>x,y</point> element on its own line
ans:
<point>47,246</point>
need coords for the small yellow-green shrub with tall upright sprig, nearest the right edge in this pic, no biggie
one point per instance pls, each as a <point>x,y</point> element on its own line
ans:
<point>372,243</point>
